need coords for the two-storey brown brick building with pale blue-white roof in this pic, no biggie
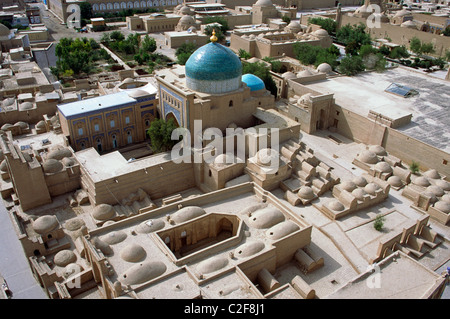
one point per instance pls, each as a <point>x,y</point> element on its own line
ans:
<point>110,121</point>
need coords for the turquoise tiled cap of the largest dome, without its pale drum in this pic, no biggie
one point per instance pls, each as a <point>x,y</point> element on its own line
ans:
<point>213,62</point>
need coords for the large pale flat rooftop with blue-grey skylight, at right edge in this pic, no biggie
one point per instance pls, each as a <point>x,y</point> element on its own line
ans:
<point>429,109</point>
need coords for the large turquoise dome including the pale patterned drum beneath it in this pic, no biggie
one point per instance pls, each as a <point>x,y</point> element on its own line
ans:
<point>213,68</point>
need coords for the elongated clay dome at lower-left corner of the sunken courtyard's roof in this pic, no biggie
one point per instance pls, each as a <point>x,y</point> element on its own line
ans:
<point>142,272</point>
